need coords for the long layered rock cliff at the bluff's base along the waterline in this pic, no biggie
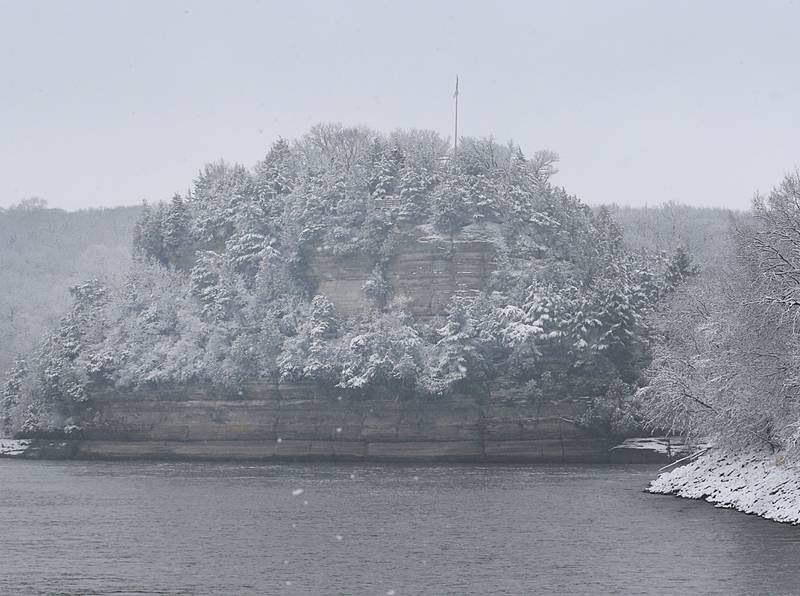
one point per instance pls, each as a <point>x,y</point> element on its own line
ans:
<point>300,422</point>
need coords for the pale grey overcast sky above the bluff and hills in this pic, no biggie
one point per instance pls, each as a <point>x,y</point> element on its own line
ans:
<point>107,103</point>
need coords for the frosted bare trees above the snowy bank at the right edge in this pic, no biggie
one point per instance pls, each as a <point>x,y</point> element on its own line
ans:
<point>728,367</point>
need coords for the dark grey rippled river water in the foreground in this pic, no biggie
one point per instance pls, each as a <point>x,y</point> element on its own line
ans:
<point>149,528</point>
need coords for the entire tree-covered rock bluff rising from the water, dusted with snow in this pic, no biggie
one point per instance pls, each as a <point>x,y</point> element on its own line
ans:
<point>363,296</point>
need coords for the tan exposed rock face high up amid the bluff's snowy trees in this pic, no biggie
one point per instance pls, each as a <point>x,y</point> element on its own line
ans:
<point>425,273</point>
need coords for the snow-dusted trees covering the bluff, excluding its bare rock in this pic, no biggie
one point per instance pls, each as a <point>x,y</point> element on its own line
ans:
<point>217,290</point>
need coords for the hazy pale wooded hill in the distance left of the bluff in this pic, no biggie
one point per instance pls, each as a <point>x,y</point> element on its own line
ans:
<point>43,252</point>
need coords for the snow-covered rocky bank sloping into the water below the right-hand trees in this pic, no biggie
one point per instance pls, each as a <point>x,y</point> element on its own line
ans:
<point>759,483</point>
